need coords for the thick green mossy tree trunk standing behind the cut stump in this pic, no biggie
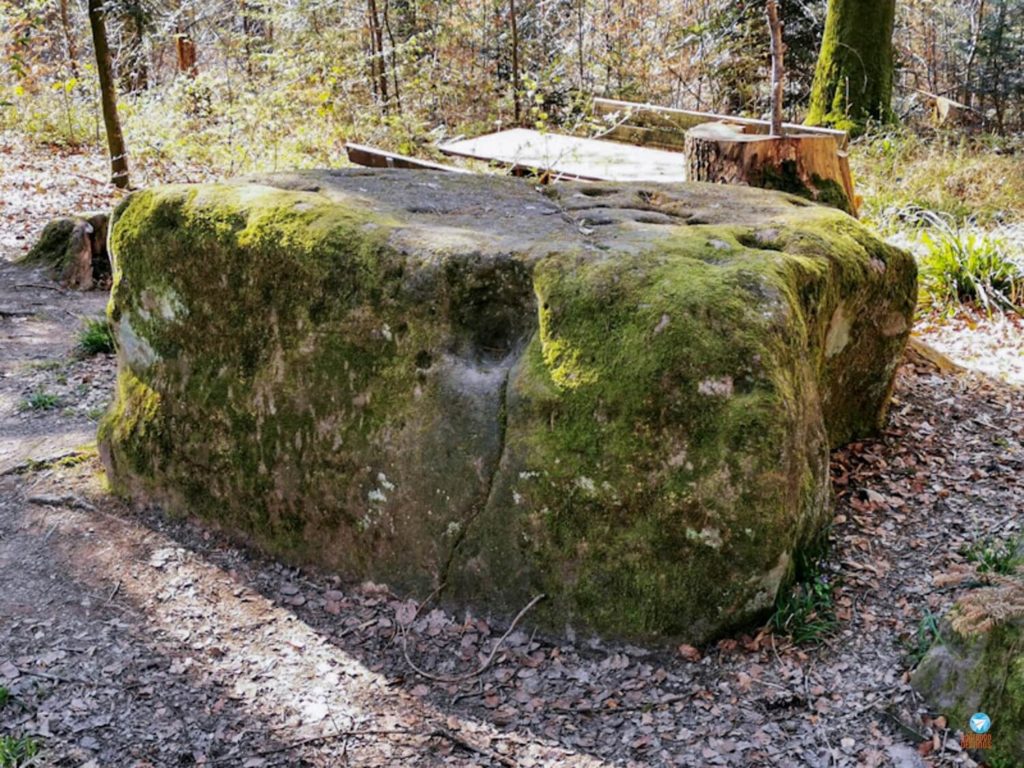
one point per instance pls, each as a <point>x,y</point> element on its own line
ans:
<point>855,77</point>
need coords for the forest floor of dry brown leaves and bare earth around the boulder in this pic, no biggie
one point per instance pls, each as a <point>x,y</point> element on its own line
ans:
<point>132,639</point>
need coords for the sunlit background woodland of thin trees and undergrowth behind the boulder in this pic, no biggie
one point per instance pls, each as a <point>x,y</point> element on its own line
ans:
<point>229,87</point>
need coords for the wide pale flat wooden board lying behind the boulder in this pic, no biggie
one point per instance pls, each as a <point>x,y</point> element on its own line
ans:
<point>572,158</point>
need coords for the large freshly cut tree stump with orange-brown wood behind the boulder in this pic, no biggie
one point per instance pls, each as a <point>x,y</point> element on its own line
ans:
<point>808,165</point>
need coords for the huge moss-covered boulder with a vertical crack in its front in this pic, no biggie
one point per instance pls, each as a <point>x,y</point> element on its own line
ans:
<point>622,397</point>
